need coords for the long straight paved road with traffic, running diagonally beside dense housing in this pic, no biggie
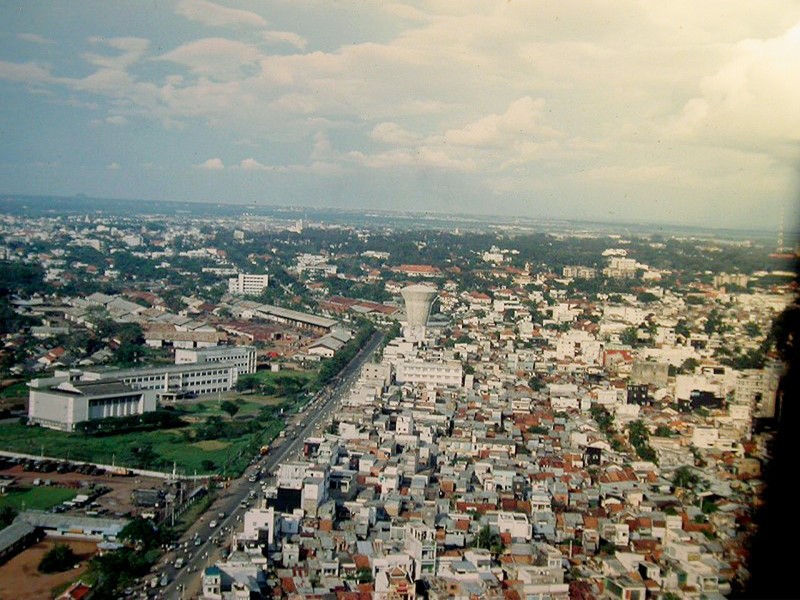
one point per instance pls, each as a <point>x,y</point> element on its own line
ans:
<point>196,545</point>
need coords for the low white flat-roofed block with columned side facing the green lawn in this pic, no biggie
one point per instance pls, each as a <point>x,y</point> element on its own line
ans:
<point>62,403</point>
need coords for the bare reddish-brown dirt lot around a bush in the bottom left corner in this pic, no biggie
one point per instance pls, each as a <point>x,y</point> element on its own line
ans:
<point>20,579</point>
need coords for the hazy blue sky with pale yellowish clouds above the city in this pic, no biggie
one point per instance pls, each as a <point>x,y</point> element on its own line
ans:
<point>680,112</point>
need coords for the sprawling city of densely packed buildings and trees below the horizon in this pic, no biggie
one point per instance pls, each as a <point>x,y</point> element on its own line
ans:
<point>580,414</point>
